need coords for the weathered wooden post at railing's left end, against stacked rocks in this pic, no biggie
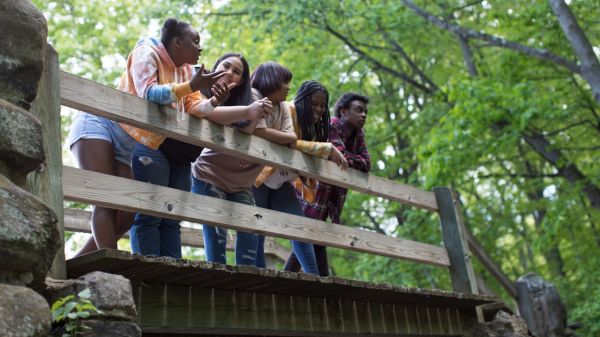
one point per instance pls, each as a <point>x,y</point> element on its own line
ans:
<point>46,182</point>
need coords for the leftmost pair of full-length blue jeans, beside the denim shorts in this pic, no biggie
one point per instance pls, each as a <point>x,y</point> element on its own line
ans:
<point>152,235</point>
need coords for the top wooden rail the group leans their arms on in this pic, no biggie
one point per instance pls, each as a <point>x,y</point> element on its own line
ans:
<point>86,95</point>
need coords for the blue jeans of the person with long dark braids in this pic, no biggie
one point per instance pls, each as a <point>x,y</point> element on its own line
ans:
<point>284,200</point>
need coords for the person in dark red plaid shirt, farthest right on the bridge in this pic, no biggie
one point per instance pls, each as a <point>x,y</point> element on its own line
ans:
<point>347,135</point>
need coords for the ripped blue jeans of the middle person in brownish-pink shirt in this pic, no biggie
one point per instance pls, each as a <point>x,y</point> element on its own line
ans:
<point>215,238</point>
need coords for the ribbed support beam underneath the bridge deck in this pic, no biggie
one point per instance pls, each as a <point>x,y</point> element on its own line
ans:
<point>164,309</point>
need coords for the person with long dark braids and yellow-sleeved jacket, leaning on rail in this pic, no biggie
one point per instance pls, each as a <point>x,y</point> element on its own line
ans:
<point>273,189</point>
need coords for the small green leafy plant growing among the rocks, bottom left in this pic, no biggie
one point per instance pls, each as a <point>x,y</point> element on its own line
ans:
<point>68,311</point>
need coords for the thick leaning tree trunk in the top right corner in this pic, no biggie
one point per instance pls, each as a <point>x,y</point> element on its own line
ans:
<point>590,67</point>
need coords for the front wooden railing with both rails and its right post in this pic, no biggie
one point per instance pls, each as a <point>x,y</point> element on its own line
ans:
<point>125,194</point>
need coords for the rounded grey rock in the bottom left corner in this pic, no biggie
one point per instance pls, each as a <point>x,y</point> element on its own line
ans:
<point>23,312</point>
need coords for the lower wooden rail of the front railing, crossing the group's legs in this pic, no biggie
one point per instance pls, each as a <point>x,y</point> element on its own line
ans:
<point>130,195</point>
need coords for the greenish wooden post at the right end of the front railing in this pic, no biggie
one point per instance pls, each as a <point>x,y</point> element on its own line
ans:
<point>455,241</point>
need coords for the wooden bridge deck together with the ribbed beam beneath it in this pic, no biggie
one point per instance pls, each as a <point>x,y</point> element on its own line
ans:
<point>222,299</point>
